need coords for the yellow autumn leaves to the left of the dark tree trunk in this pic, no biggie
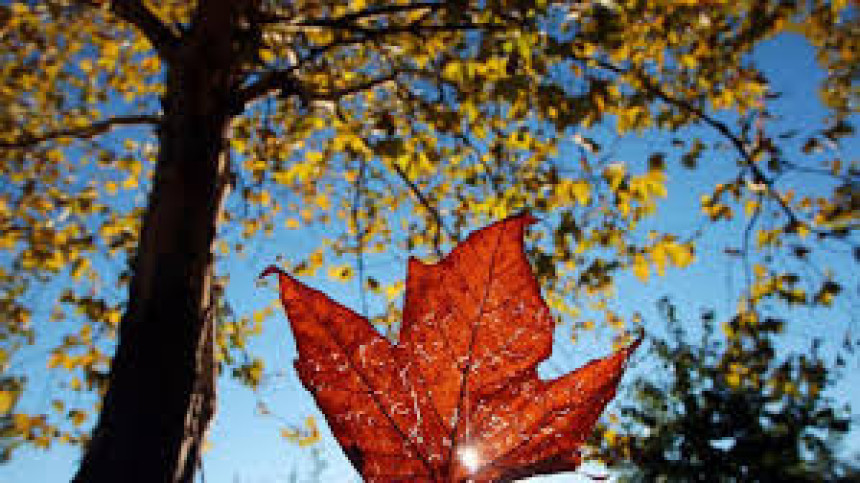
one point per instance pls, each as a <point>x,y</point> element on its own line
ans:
<point>59,73</point>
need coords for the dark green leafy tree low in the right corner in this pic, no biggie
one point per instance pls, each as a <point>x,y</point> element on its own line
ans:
<point>734,409</point>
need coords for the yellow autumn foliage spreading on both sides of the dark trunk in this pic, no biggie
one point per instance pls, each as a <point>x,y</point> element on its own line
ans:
<point>485,148</point>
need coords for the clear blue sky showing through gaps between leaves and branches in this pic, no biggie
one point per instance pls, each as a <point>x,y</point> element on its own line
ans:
<point>246,446</point>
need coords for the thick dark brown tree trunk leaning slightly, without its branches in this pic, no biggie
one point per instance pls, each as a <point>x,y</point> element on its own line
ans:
<point>161,393</point>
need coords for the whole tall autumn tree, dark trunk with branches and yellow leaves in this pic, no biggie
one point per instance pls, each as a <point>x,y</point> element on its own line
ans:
<point>142,141</point>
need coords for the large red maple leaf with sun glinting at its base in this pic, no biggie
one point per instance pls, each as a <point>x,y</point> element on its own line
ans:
<point>458,398</point>
